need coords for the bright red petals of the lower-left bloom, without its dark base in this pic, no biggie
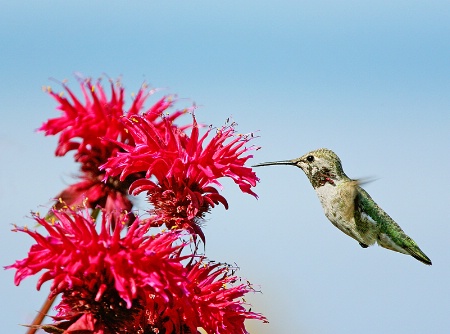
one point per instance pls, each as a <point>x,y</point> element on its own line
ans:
<point>74,250</point>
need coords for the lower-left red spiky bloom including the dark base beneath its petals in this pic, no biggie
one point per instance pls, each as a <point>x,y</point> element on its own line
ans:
<point>105,278</point>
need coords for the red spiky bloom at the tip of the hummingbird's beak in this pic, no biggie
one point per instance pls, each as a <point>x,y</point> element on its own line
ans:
<point>185,168</point>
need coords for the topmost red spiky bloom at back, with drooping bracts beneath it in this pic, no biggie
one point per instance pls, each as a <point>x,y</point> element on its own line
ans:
<point>90,130</point>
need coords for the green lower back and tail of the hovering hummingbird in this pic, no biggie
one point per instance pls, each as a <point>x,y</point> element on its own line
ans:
<point>390,234</point>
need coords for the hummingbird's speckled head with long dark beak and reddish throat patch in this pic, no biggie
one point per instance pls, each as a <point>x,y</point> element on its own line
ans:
<point>320,166</point>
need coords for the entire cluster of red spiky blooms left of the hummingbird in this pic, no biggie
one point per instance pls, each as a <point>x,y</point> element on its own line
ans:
<point>114,275</point>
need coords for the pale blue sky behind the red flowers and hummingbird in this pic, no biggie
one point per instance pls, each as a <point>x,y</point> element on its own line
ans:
<point>370,80</point>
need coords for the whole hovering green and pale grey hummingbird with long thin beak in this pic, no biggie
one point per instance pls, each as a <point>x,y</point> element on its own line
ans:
<point>349,207</point>
